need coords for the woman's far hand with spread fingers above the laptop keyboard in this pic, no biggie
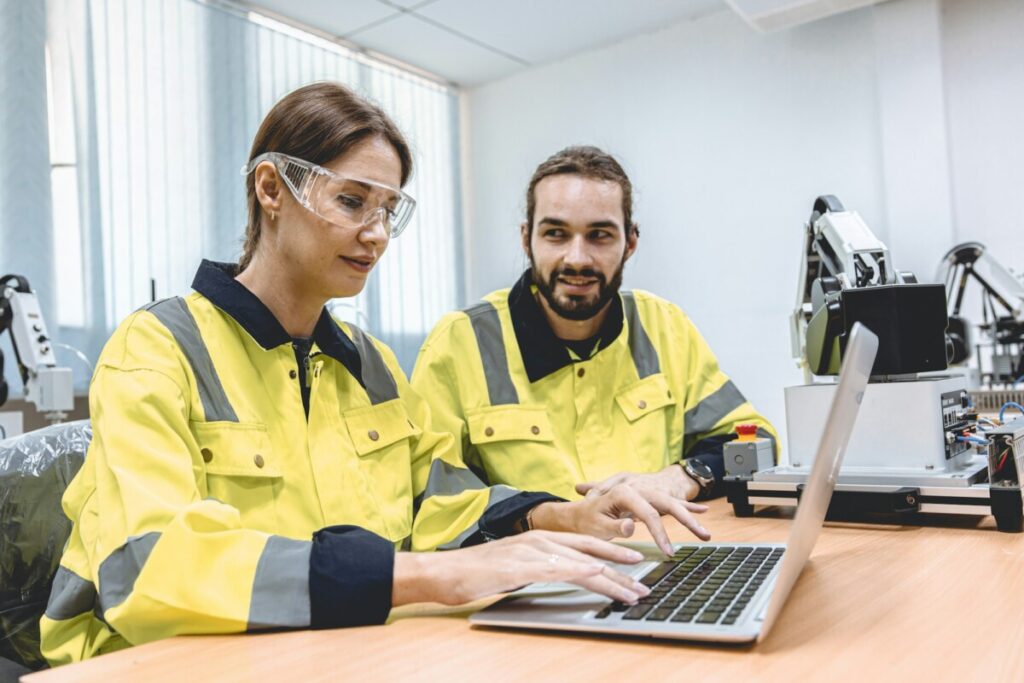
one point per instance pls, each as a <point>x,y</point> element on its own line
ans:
<point>612,515</point>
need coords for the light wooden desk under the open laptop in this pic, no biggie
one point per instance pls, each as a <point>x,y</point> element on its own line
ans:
<point>891,604</point>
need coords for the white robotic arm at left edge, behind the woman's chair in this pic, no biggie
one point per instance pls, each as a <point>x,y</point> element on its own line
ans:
<point>47,386</point>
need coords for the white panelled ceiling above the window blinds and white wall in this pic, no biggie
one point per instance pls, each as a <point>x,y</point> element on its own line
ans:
<point>470,42</point>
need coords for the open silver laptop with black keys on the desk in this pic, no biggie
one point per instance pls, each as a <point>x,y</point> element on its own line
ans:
<point>718,592</point>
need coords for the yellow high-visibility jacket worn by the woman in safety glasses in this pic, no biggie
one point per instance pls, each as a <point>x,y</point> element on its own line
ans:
<point>210,503</point>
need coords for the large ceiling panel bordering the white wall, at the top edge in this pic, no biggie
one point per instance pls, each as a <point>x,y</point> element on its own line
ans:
<point>540,31</point>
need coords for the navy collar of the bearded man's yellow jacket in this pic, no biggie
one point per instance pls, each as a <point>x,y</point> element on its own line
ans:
<point>543,353</point>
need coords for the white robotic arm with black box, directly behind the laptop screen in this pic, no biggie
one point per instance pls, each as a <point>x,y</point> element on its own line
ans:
<point>847,277</point>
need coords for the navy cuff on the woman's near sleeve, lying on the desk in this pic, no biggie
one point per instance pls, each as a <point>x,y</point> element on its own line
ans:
<point>351,576</point>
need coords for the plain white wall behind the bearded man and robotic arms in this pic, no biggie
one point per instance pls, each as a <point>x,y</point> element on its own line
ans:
<point>904,112</point>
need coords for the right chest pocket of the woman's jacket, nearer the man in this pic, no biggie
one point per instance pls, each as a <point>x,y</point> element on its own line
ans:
<point>381,436</point>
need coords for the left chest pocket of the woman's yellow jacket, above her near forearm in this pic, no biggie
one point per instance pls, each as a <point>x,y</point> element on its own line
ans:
<point>241,468</point>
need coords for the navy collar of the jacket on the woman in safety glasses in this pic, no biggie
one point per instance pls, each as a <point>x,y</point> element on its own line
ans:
<point>217,282</point>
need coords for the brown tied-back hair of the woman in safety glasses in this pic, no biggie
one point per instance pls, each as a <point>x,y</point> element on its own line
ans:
<point>319,123</point>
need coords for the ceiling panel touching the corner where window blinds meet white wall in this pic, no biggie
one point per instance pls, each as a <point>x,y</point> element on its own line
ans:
<point>428,47</point>
